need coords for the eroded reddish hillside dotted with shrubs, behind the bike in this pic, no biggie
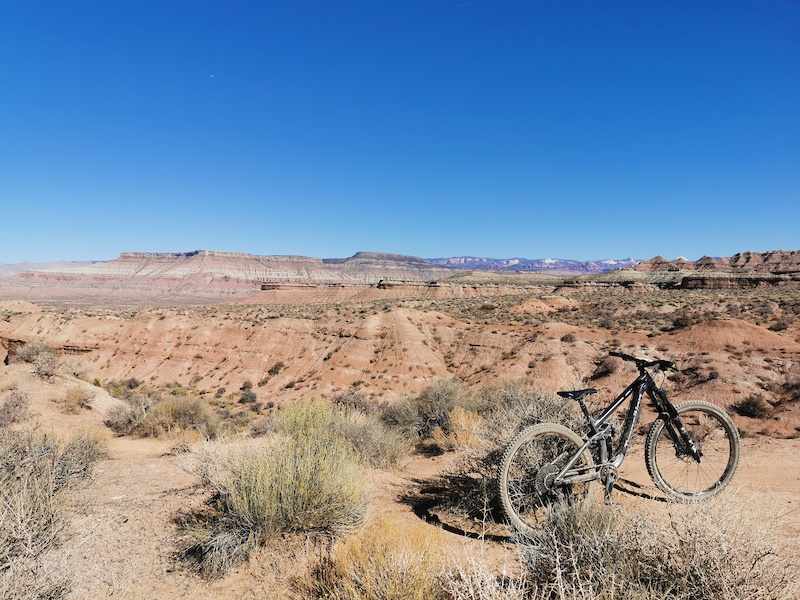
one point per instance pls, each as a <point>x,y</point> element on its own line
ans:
<point>730,345</point>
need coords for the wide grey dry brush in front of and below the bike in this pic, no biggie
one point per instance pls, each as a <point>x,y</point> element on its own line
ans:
<point>698,551</point>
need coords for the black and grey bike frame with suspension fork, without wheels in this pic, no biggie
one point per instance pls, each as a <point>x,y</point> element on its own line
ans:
<point>601,432</point>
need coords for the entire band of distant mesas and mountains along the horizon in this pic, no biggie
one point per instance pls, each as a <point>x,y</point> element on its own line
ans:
<point>211,276</point>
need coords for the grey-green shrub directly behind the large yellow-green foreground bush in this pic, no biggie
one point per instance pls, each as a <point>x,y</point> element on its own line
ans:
<point>372,442</point>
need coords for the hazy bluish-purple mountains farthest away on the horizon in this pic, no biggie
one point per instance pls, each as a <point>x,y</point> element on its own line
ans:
<point>557,266</point>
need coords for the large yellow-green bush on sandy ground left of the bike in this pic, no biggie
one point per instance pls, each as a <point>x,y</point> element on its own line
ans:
<point>302,485</point>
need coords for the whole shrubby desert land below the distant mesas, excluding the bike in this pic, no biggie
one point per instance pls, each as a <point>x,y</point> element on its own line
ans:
<point>304,444</point>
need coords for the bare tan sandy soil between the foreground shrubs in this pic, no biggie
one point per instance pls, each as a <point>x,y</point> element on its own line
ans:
<point>123,541</point>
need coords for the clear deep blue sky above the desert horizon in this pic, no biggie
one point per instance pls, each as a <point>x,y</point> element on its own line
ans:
<point>572,129</point>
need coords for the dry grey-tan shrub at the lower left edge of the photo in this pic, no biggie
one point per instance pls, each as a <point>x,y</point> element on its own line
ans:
<point>36,472</point>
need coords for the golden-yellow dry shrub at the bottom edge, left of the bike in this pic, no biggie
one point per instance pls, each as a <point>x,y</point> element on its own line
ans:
<point>385,560</point>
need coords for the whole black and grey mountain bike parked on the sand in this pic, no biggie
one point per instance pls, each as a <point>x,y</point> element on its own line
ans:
<point>691,451</point>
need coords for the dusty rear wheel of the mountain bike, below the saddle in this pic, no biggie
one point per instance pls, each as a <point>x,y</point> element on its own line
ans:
<point>530,464</point>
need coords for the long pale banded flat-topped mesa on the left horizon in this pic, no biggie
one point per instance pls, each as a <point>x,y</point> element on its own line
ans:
<point>206,276</point>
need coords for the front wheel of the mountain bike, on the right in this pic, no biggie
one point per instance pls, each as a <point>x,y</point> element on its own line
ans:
<point>672,468</point>
